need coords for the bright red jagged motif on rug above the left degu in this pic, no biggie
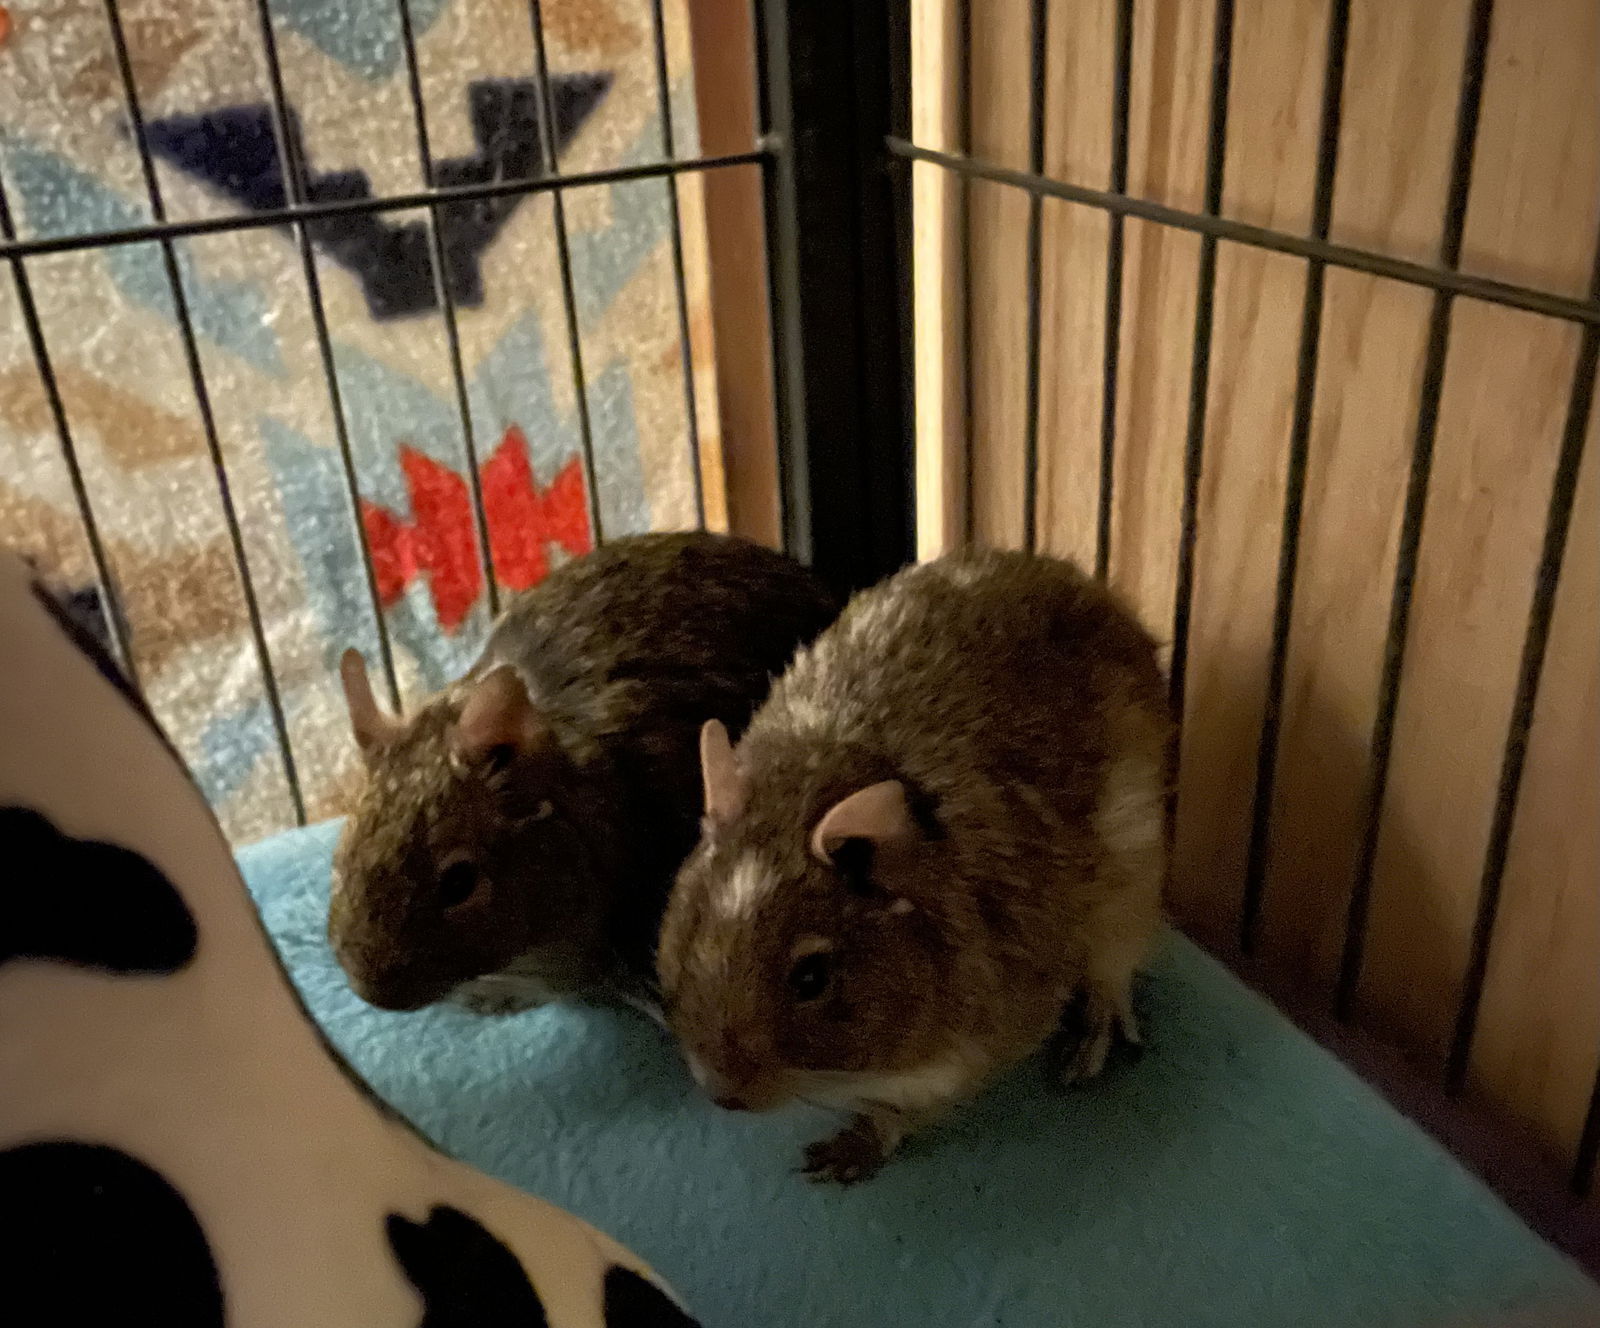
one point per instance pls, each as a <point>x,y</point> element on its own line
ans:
<point>441,542</point>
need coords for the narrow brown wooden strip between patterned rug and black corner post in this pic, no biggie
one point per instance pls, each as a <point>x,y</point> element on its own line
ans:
<point>729,209</point>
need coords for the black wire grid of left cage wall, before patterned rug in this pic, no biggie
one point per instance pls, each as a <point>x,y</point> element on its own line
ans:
<point>297,215</point>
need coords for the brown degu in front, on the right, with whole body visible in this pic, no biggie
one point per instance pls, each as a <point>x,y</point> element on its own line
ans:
<point>938,838</point>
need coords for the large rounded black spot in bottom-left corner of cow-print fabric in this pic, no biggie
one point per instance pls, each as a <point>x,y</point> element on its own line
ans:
<point>95,1239</point>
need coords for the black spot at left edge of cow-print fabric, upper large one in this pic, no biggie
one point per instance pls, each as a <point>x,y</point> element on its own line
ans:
<point>87,903</point>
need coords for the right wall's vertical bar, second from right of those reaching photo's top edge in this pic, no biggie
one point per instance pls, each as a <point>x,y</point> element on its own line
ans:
<point>1295,479</point>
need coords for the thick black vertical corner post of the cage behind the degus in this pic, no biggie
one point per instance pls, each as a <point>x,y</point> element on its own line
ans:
<point>839,230</point>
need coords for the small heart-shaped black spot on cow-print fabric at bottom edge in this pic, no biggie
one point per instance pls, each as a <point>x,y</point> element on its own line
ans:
<point>465,1276</point>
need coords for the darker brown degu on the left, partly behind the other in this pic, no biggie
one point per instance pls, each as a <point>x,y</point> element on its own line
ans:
<point>518,836</point>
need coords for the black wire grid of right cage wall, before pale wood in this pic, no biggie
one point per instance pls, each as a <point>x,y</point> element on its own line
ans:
<point>1447,284</point>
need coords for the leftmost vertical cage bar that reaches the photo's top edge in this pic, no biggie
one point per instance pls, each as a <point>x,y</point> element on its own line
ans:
<point>186,332</point>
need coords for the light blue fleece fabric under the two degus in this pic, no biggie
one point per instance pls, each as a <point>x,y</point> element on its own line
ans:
<point>1236,1177</point>
